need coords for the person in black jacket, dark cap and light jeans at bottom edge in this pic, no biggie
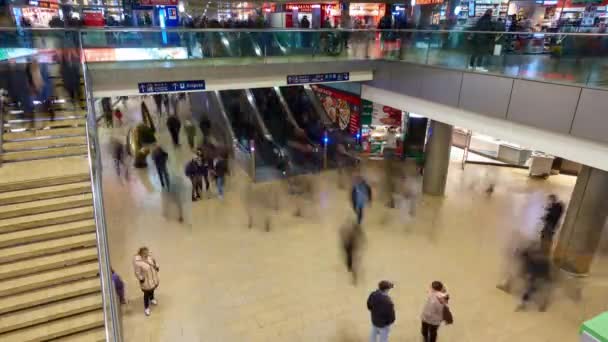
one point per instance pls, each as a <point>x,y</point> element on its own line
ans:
<point>382,312</point>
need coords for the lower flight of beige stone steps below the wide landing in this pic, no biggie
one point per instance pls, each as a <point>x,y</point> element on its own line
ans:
<point>49,285</point>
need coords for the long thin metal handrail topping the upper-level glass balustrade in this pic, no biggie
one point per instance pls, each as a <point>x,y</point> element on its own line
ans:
<point>271,30</point>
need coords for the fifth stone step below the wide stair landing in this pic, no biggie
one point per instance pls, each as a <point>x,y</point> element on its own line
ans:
<point>36,249</point>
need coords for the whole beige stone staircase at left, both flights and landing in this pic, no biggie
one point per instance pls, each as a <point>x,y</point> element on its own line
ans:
<point>49,271</point>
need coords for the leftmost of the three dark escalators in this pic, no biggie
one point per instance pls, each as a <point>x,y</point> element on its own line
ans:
<point>248,128</point>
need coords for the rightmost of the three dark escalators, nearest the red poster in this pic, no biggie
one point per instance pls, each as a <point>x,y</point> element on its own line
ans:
<point>310,115</point>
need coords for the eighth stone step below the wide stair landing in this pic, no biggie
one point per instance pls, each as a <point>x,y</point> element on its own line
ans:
<point>50,294</point>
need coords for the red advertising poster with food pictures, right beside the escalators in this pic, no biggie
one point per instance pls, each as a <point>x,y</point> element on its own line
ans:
<point>342,108</point>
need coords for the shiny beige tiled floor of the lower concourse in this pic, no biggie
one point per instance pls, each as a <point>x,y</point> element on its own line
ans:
<point>221,281</point>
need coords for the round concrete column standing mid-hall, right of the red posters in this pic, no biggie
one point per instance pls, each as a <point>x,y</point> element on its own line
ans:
<point>437,158</point>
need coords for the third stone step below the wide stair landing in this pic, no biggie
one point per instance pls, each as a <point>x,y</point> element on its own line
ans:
<point>46,219</point>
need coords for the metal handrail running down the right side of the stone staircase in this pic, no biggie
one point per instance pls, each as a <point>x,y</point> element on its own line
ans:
<point>111,307</point>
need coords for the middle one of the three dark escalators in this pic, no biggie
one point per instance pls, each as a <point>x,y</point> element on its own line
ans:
<point>302,154</point>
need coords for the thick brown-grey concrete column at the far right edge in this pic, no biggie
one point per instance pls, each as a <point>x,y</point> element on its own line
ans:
<point>584,222</point>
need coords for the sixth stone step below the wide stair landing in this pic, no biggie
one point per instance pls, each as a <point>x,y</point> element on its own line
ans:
<point>47,262</point>
